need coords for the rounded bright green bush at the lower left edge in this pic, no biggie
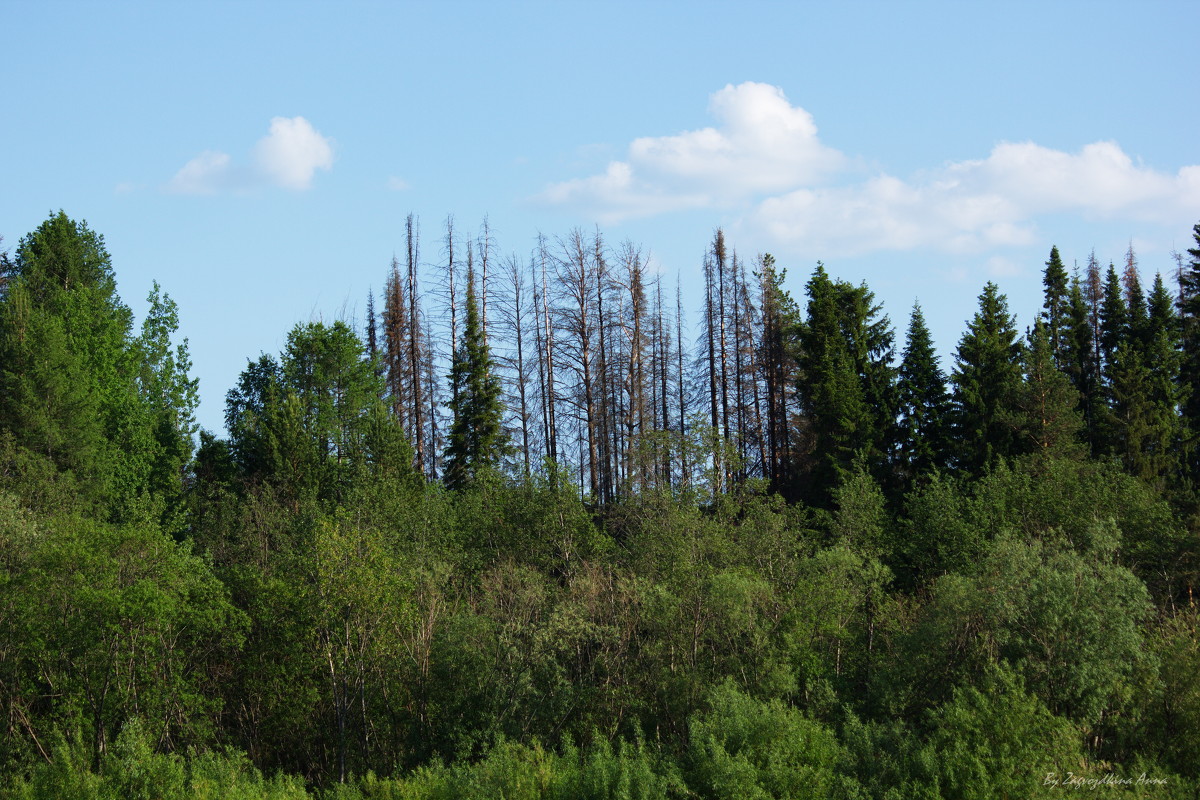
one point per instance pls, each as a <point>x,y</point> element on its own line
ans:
<point>112,624</point>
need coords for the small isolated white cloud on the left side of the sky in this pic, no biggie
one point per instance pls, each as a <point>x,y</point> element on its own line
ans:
<point>287,157</point>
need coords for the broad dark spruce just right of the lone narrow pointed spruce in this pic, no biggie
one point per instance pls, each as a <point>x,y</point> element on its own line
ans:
<point>987,378</point>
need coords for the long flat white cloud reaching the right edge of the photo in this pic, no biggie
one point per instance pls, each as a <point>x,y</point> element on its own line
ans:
<point>971,206</point>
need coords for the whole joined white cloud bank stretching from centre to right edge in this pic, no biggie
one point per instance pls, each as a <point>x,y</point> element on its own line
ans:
<point>766,164</point>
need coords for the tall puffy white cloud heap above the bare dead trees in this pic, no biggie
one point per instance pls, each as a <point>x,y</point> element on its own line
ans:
<point>764,145</point>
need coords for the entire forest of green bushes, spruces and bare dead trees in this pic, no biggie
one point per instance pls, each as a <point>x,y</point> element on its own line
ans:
<point>527,531</point>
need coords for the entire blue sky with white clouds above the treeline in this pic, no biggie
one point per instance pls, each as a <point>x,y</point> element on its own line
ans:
<point>259,160</point>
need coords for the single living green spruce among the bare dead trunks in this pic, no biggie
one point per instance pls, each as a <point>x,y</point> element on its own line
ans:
<point>477,435</point>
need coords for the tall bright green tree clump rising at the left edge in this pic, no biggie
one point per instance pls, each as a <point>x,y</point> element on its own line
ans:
<point>109,412</point>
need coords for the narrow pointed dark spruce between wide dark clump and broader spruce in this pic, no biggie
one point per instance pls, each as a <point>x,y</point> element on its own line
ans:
<point>925,405</point>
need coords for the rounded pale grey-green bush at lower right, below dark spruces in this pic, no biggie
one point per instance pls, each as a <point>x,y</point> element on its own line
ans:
<point>1067,622</point>
